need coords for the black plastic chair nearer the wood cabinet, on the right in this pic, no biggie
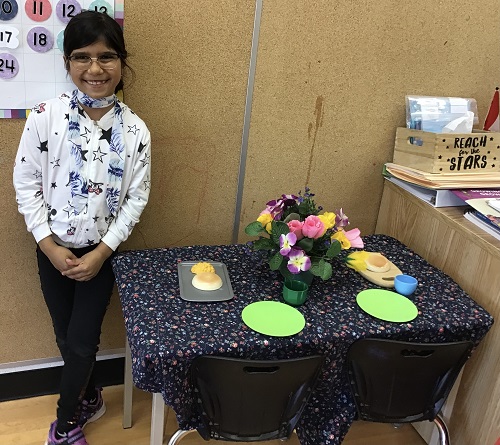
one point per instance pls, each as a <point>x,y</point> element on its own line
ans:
<point>402,382</point>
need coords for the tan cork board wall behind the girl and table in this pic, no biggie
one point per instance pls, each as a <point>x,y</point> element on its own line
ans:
<point>328,95</point>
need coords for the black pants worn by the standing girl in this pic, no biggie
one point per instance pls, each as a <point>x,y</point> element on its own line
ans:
<point>77,310</point>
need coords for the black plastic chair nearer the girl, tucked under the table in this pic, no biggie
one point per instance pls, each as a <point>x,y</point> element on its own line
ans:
<point>243,400</point>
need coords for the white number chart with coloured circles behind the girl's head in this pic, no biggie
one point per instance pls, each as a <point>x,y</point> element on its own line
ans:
<point>31,49</point>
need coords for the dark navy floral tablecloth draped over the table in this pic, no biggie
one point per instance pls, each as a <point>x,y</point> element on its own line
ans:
<point>165,332</point>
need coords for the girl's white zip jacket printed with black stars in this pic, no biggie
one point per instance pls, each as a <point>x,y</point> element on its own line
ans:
<point>41,176</point>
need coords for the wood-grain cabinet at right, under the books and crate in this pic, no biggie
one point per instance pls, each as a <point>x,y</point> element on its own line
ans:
<point>472,258</point>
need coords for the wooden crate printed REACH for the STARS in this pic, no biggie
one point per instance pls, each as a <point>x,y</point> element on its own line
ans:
<point>478,151</point>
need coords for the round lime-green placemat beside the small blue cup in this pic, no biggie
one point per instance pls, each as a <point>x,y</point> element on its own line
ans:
<point>387,305</point>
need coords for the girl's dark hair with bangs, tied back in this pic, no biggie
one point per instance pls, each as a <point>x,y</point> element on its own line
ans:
<point>89,27</point>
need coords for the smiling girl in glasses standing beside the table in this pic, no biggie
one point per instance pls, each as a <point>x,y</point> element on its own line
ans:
<point>82,180</point>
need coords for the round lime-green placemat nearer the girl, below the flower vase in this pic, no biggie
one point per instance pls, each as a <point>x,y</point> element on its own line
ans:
<point>273,318</point>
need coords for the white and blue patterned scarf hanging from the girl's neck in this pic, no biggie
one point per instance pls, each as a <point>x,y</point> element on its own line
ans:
<point>78,182</point>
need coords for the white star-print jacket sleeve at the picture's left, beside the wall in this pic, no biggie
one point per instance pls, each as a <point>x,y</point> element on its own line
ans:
<point>27,177</point>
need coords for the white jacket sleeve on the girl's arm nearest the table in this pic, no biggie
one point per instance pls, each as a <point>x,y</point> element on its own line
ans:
<point>136,196</point>
